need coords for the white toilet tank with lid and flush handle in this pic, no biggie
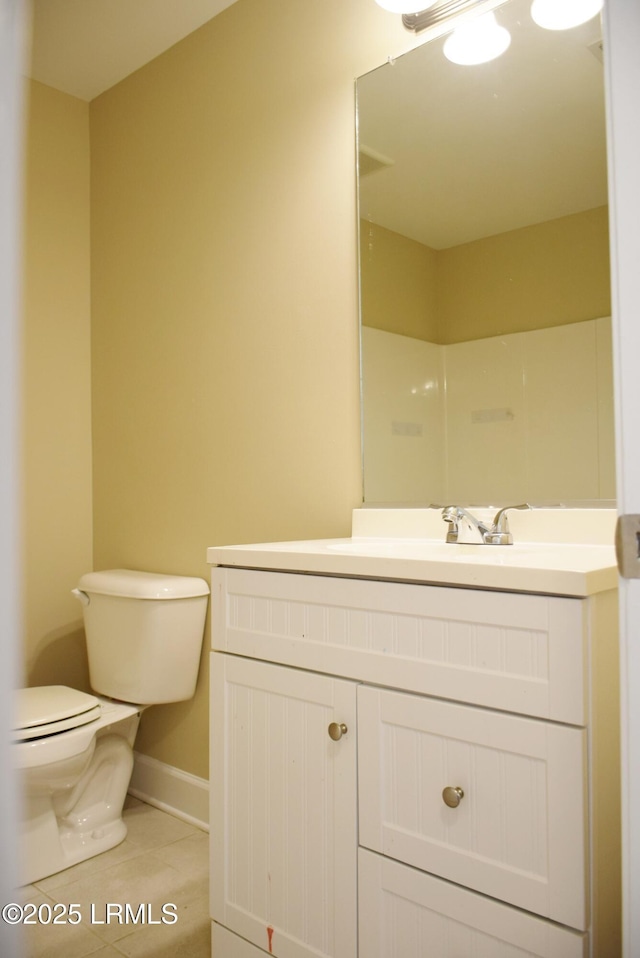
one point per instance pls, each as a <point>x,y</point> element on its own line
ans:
<point>144,634</point>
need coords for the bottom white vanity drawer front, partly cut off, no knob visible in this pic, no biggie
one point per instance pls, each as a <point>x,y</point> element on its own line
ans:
<point>407,914</point>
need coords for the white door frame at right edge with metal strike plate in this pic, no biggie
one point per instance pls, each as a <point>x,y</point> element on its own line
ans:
<point>622,84</point>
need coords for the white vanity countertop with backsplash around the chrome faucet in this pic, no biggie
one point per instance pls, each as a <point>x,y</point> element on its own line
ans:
<point>557,568</point>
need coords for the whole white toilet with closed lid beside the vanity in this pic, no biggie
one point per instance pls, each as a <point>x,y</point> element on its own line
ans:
<point>73,750</point>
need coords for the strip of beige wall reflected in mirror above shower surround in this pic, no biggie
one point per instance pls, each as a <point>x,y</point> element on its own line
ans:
<point>545,275</point>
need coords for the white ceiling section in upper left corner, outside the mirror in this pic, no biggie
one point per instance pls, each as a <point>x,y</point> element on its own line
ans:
<point>83,47</point>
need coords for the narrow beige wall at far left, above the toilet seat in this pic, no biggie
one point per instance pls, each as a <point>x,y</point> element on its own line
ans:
<point>56,426</point>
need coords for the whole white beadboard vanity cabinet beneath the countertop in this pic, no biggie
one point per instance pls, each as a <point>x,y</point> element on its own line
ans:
<point>467,801</point>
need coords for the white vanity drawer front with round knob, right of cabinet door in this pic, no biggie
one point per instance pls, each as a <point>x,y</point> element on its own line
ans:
<point>519,831</point>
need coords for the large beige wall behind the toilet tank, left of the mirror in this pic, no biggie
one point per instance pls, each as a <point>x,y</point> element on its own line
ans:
<point>224,298</point>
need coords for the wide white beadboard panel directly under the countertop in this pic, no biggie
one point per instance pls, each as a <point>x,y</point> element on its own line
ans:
<point>520,653</point>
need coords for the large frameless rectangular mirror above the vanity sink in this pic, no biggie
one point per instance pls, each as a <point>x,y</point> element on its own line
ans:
<point>484,273</point>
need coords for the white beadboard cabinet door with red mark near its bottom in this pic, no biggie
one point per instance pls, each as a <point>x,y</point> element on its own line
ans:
<point>283,808</point>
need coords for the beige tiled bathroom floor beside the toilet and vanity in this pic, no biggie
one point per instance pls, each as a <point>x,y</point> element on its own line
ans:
<point>162,861</point>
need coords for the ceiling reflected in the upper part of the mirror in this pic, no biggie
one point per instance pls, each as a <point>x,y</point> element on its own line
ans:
<point>481,151</point>
